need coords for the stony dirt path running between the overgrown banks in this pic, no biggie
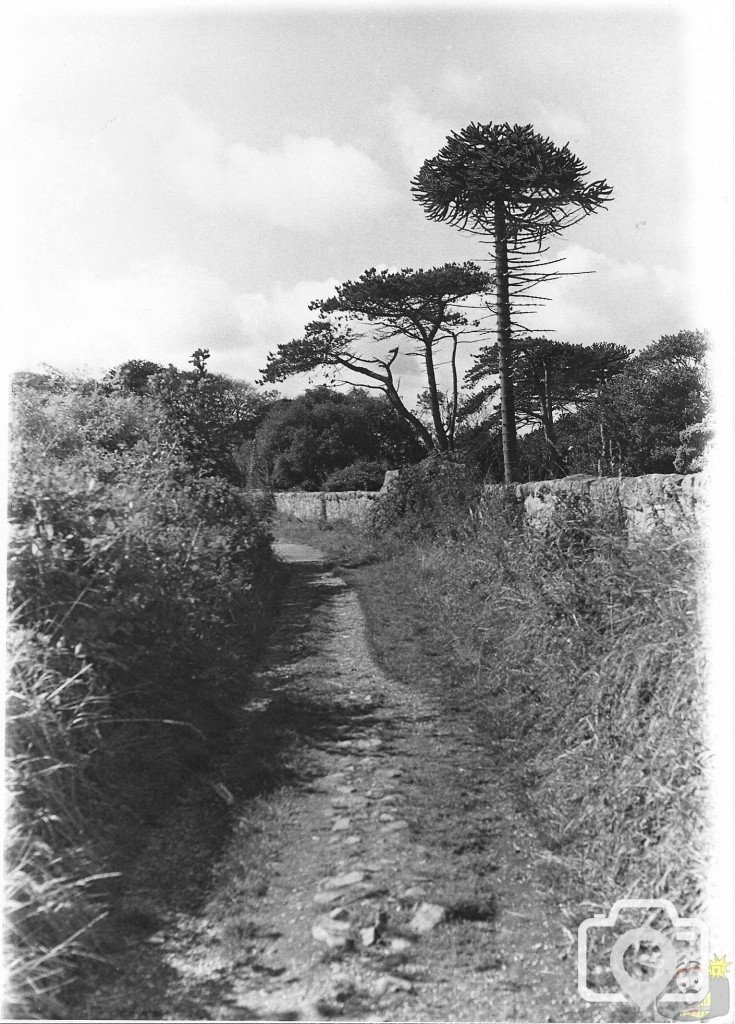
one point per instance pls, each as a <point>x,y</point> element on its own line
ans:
<point>376,869</point>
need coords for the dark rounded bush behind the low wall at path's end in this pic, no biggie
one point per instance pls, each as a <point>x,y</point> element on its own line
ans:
<point>302,443</point>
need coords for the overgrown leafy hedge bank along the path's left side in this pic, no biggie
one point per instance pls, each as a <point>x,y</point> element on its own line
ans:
<point>139,593</point>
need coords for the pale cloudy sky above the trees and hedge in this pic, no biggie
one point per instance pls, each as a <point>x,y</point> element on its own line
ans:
<point>195,177</point>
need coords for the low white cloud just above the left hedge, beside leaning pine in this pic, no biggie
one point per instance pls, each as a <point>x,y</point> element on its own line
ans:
<point>162,311</point>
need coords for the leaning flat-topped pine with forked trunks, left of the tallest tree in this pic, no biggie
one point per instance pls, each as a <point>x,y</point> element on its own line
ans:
<point>425,309</point>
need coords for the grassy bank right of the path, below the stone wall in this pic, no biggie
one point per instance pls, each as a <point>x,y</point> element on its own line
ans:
<point>583,661</point>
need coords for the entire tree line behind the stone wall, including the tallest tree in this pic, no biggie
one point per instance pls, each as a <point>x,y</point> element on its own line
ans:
<point>529,408</point>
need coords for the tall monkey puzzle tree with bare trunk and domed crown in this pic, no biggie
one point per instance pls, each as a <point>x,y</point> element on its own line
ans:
<point>516,188</point>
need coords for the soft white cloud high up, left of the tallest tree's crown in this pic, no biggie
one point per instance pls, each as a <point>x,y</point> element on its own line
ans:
<point>305,183</point>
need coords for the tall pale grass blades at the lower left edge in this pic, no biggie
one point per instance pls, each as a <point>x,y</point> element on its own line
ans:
<point>53,899</point>
